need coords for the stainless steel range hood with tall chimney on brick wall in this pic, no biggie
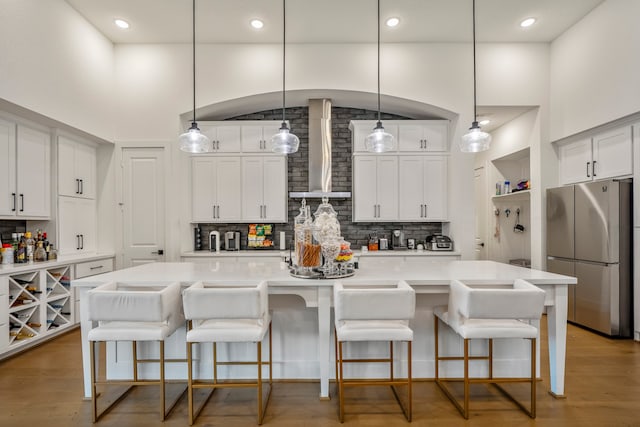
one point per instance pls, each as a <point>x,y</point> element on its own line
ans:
<point>320,153</point>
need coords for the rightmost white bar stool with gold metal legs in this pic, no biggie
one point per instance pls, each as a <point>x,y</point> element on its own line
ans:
<point>490,313</point>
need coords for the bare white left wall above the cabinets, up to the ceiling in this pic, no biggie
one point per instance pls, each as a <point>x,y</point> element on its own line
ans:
<point>55,63</point>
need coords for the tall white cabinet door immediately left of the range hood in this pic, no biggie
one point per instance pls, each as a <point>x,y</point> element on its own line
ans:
<point>275,189</point>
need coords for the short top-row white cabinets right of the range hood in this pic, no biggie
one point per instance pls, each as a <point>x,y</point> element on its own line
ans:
<point>409,135</point>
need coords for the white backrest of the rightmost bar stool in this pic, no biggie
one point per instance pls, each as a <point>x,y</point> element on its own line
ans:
<point>520,301</point>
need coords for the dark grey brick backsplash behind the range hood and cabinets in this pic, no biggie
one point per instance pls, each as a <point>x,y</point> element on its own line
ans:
<point>355,232</point>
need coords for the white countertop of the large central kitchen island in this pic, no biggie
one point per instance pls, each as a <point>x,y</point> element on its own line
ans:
<point>431,272</point>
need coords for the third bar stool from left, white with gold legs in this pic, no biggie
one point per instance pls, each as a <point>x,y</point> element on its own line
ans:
<point>374,313</point>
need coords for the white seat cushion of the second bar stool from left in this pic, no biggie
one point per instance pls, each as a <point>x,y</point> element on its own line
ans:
<point>229,330</point>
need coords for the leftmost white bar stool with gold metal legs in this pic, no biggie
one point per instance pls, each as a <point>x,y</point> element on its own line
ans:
<point>130,312</point>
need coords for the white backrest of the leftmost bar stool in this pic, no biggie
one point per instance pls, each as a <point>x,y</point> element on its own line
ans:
<point>134,303</point>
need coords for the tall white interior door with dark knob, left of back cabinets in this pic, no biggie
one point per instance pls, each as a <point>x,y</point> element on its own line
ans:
<point>143,207</point>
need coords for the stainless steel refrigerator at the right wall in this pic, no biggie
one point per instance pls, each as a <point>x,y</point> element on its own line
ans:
<point>589,236</point>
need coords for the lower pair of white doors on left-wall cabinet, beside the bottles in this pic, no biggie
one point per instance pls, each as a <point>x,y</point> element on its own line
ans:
<point>77,225</point>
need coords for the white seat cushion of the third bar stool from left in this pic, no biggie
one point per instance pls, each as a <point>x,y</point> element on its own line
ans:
<point>374,330</point>
